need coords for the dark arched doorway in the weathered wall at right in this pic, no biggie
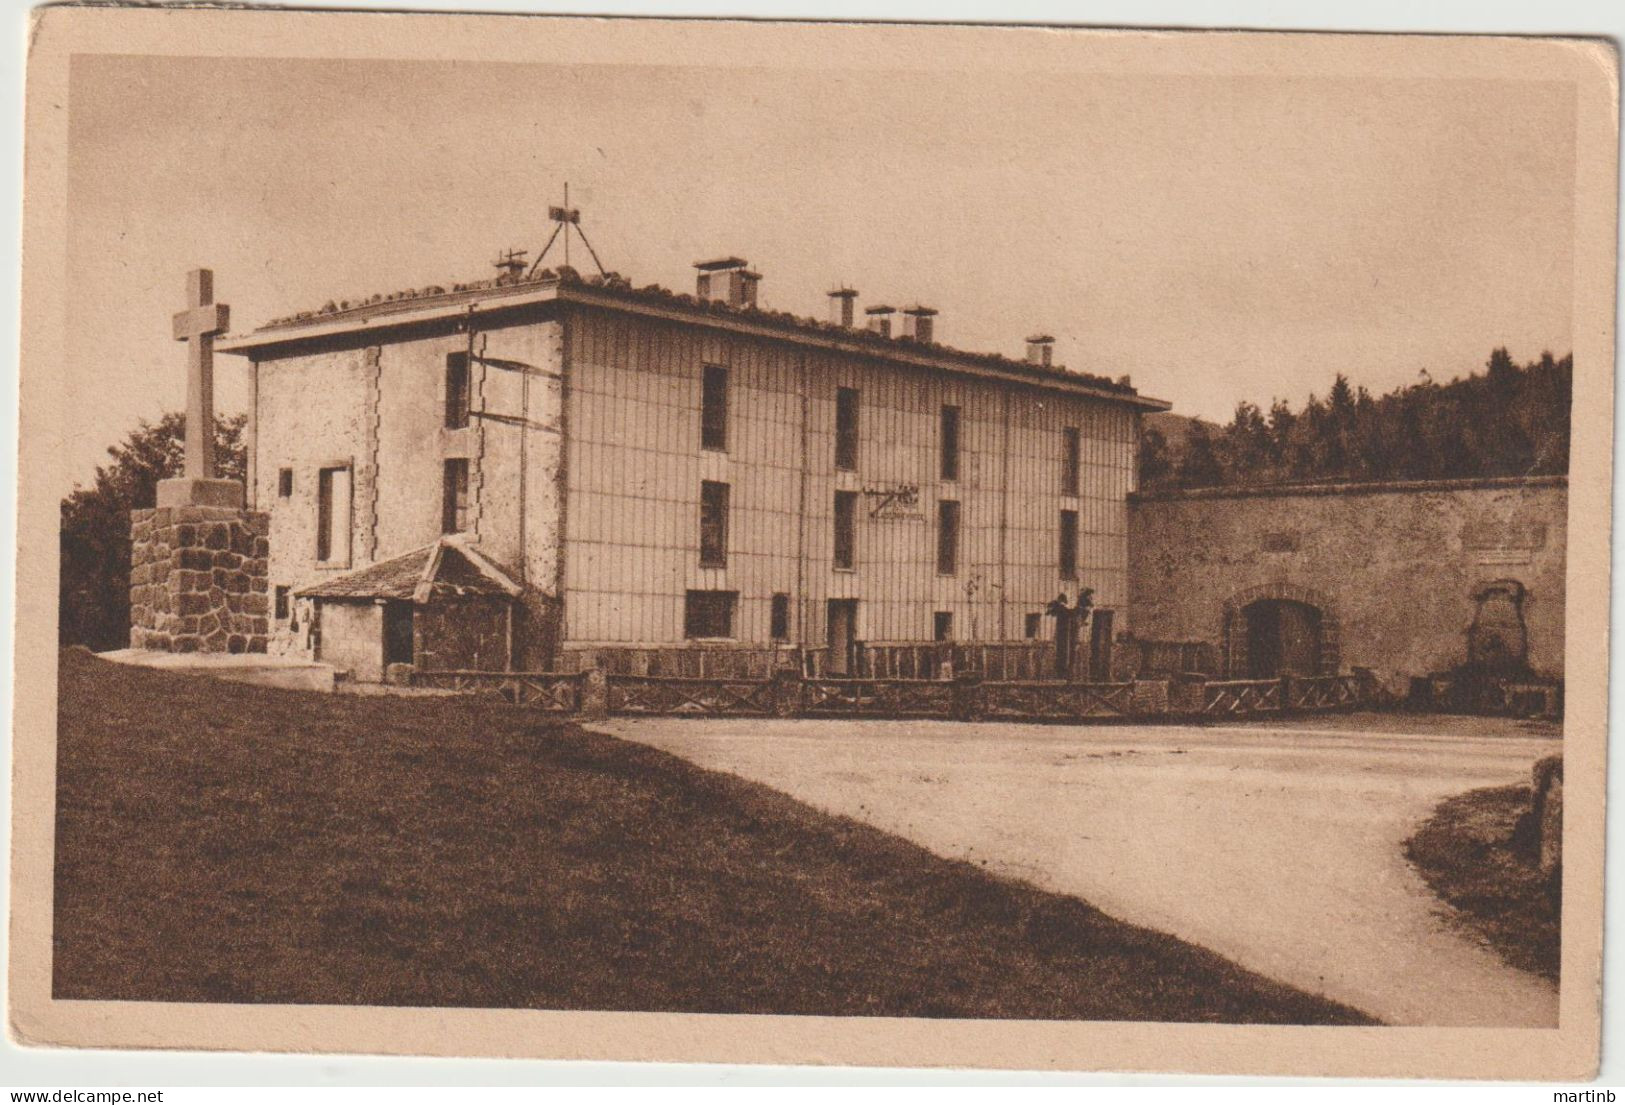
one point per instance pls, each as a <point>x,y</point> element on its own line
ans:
<point>1280,630</point>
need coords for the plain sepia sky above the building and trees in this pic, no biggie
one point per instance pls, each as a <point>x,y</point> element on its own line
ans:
<point>1215,238</point>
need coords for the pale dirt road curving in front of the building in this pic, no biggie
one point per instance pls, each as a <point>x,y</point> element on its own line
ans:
<point>1276,847</point>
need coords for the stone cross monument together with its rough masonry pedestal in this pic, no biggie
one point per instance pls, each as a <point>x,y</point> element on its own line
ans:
<point>197,561</point>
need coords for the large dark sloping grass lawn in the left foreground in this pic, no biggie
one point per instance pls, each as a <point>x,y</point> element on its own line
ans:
<point>220,843</point>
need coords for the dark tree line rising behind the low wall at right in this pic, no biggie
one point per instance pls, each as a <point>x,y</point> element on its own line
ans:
<point>1506,422</point>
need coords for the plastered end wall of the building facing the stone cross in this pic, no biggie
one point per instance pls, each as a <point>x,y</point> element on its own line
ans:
<point>383,415</point>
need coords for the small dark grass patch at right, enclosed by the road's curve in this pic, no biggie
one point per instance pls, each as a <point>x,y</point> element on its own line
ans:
<point>1467,854</point>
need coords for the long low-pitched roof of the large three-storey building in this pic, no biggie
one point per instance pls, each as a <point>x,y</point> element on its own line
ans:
<point>654,295</point>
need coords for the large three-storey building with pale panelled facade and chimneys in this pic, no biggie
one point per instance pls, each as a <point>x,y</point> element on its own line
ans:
<point>506,474</point>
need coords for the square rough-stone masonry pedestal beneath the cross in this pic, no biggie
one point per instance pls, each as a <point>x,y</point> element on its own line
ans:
<point>197,579</point>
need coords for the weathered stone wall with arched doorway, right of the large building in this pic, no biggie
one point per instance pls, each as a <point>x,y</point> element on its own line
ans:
<point>1398,573</point>
